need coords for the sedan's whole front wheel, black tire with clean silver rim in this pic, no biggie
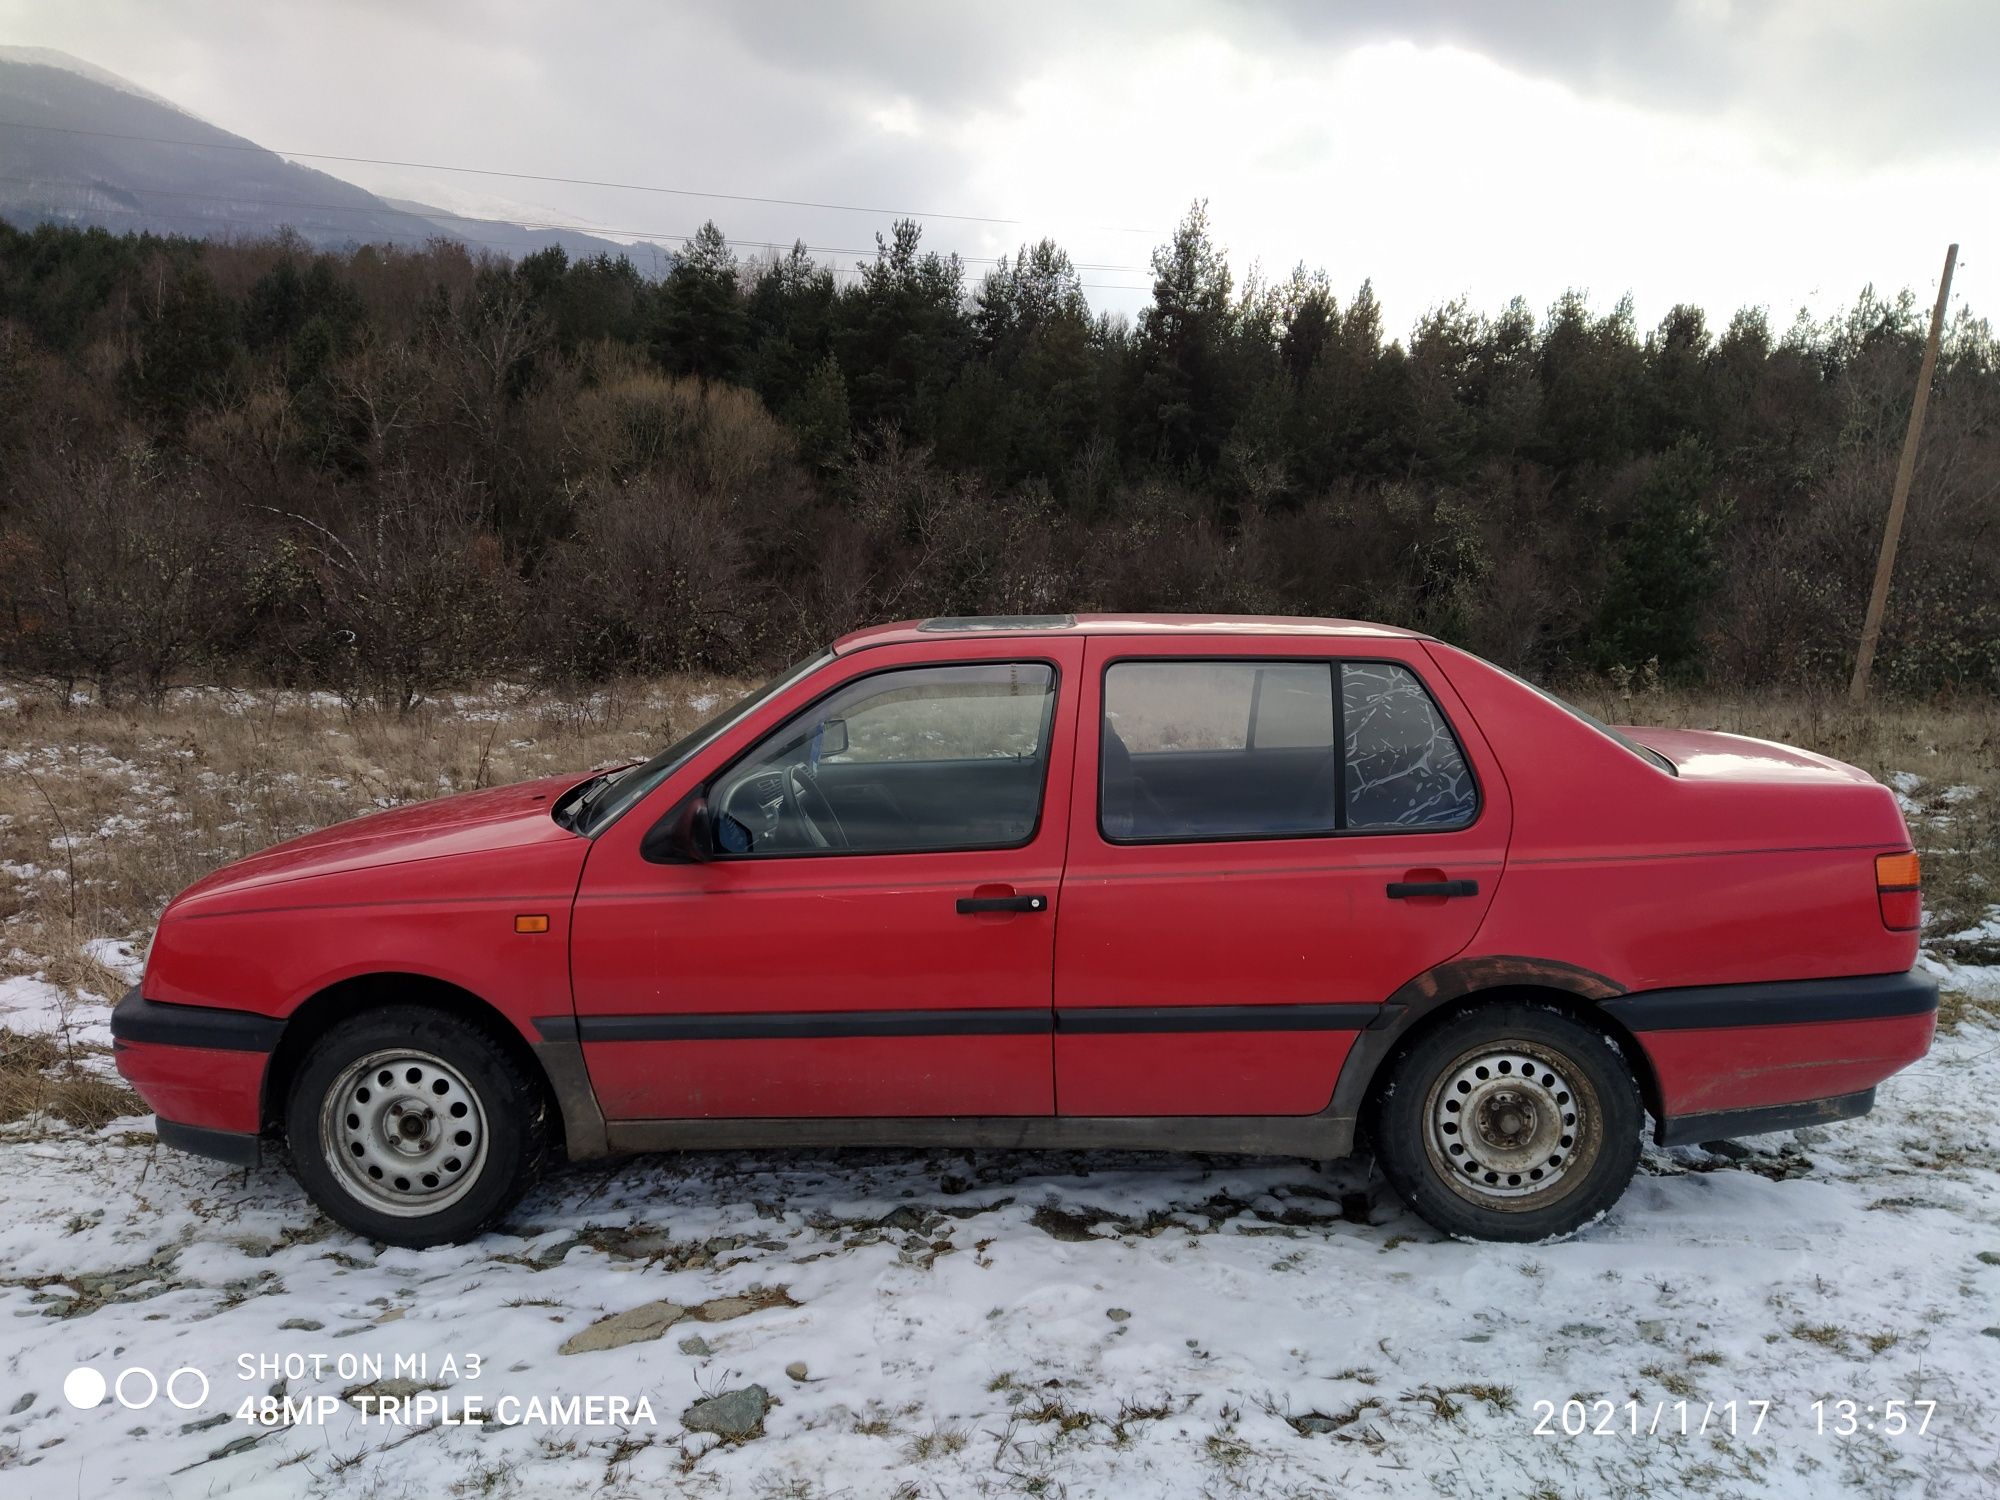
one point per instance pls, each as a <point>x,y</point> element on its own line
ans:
<point>415,1127</point>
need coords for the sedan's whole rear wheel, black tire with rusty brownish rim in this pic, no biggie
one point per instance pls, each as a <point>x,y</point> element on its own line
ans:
<point>1509,1123</point>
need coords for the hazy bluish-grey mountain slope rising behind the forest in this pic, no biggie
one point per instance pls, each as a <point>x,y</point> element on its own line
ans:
<point>81,145</point>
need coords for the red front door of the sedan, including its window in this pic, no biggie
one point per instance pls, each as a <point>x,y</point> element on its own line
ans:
<point>875,935</point>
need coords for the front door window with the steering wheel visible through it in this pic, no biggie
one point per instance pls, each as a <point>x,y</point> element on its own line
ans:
<point>899,763</point>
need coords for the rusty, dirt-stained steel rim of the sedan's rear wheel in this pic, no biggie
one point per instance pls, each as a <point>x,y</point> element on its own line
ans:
<point>1513,1125</point>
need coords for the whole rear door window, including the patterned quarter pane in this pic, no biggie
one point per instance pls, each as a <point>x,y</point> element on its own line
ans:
<point>1201,751</point>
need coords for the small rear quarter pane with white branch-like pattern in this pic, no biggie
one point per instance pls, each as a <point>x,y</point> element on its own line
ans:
<point>1403,763</point>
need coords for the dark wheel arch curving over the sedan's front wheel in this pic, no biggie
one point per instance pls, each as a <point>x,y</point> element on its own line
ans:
<point>363,993</point>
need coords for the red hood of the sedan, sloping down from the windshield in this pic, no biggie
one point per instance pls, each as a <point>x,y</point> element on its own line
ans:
<point>471,823</point>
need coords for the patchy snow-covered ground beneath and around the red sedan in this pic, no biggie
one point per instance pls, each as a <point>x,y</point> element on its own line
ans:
<point>989,1325</point>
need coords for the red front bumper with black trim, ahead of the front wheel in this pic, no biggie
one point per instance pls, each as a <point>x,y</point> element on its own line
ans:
<point>201,1069</point>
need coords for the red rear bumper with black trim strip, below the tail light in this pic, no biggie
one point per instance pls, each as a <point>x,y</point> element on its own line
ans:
<point>1749,1059</point>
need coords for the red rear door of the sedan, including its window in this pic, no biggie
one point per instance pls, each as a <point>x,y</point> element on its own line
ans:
<point>1263,837</point>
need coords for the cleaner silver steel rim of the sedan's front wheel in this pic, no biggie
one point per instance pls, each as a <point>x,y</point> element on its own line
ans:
<point>405,1133</point>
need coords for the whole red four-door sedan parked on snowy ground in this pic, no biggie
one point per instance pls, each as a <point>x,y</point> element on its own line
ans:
<point>1219,885</point>
